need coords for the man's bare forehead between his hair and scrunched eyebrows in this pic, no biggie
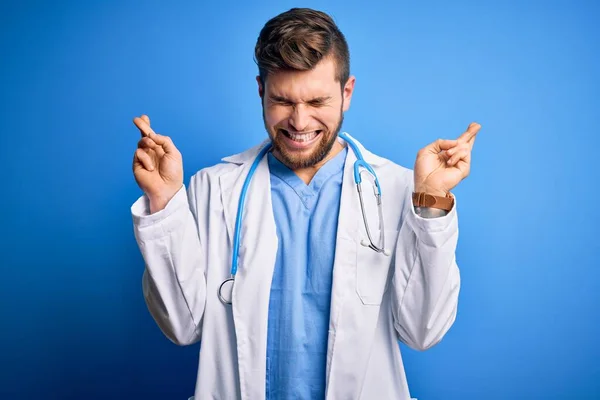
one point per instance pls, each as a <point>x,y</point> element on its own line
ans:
<point>320,81</point>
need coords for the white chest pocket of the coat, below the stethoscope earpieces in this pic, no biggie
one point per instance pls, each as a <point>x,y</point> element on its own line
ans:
<point>373,270</point>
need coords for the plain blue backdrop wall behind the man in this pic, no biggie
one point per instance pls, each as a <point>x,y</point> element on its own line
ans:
<point>74,74</point>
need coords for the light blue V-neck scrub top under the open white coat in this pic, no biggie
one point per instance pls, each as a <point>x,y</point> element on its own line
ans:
<point>306,217</point>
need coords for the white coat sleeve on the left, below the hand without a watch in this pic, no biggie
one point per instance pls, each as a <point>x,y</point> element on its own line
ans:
<point>174,278</point>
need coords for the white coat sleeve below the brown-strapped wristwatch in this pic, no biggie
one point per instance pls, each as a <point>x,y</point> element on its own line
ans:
<point>426,280</point>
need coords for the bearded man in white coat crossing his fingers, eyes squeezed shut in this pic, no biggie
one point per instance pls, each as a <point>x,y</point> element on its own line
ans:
<point>317,309</point>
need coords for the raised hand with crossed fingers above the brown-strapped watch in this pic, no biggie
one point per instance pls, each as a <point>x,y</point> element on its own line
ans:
<point>441,165</point>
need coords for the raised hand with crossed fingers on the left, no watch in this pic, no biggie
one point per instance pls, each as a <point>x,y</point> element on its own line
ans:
<point>157,165</point>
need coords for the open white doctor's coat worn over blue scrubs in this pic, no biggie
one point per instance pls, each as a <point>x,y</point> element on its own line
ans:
<point>376,300</point>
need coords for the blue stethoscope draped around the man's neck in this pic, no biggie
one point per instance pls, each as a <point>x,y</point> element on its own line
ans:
<point>360,162</point>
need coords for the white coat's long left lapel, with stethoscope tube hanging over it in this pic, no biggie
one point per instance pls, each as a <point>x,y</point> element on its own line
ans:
<point>258,249</point>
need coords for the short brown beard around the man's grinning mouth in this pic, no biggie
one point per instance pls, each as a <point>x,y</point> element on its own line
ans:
<point>296,160</point>
